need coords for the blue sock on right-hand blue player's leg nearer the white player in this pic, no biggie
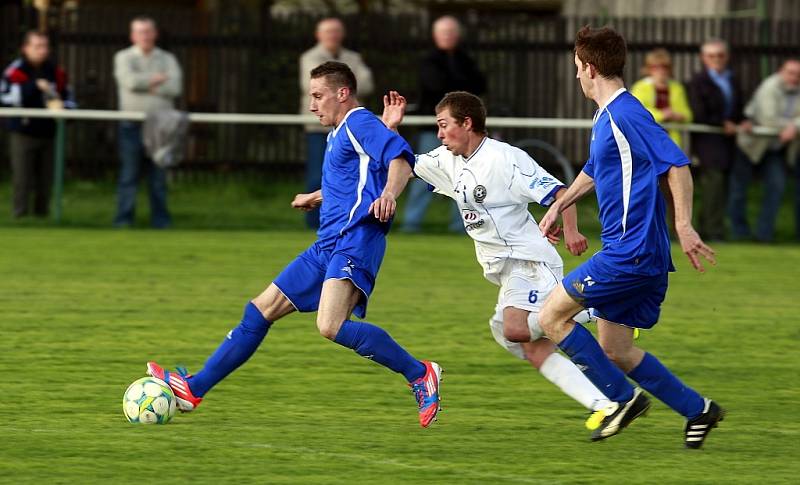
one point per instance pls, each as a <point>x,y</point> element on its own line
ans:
<point>584,351</point>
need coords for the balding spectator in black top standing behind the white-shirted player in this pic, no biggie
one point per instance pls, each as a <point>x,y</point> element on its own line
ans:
<point>445,68</point>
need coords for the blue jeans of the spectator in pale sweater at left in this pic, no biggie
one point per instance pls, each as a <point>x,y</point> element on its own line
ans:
<point>134,160</point>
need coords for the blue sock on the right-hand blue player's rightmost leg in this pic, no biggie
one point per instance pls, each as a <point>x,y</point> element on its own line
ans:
<point>660,382</point>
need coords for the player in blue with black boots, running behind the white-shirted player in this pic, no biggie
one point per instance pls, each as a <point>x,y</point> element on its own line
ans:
<point>626,281</point>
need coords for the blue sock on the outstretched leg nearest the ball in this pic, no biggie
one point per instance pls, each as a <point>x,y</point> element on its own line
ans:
<point>240,344</point>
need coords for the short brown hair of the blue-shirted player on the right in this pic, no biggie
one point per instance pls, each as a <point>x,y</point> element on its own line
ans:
<point>603,48</point>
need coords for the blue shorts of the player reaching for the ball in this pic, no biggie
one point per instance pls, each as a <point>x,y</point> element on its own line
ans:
<point>356,256</point>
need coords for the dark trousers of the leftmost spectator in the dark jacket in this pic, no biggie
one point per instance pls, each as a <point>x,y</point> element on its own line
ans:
<point>32,168</point>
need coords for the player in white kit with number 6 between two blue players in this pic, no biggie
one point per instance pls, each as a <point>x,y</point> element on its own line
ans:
<point>493,182</point>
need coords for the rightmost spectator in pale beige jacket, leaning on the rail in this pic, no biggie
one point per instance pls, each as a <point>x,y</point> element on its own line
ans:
<point>775,104</point>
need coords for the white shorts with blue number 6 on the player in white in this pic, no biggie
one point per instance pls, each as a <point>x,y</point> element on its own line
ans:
<point>526,285</point>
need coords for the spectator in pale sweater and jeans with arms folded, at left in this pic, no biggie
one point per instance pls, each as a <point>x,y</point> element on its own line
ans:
<point>148,79</point>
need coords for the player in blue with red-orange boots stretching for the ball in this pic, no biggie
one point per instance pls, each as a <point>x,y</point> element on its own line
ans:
<point>366,167</point>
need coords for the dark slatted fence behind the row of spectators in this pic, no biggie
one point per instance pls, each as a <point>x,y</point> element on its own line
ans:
<point>238,62</point>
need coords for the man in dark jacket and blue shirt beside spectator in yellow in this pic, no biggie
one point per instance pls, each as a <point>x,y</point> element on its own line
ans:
<point>715,97</point>
